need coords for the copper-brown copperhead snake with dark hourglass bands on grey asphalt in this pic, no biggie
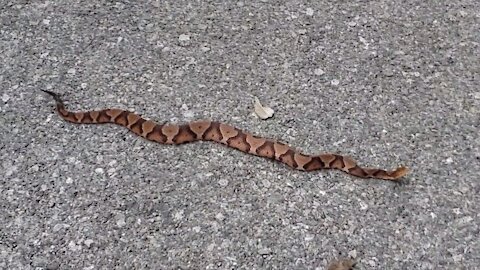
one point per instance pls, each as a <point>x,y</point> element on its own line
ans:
<point>224,134</point>
